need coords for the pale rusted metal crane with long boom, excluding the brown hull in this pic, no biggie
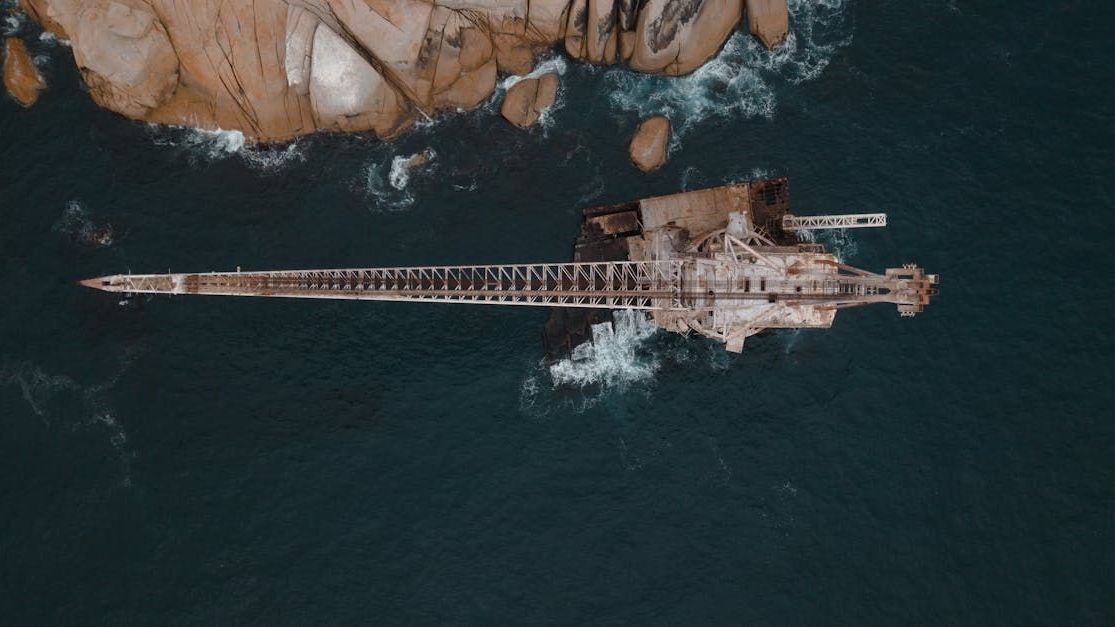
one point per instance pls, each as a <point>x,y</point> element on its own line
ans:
<point>726,284</point>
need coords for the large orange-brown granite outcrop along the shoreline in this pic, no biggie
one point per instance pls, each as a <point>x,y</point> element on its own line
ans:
<point>284,69</point>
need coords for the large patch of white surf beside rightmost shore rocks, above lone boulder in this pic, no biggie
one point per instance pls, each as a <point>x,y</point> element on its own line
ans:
<point>743,79</point>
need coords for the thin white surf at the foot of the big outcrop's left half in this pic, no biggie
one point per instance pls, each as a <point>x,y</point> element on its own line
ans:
<point>202,147</point>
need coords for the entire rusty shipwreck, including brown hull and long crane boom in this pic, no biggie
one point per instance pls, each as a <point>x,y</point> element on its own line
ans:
<point>725,263</point>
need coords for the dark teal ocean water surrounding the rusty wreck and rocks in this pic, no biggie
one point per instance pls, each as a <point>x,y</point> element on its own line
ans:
<point>250,461</point>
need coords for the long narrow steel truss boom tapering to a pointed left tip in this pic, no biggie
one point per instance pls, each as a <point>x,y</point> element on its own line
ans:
<point>680,285</point>
